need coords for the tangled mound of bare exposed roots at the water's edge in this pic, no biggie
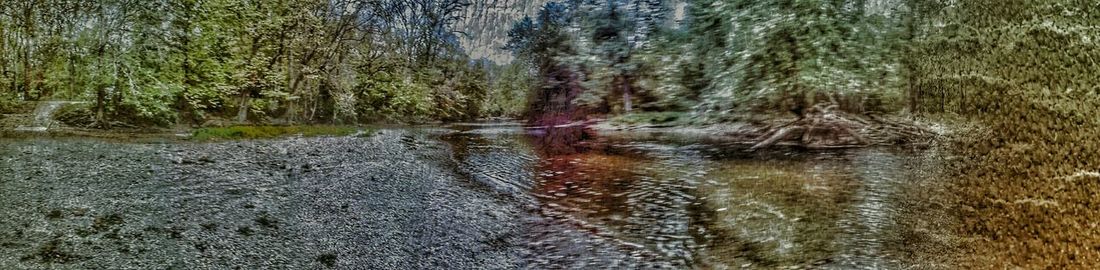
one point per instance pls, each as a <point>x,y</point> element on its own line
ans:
<point>826,127</point>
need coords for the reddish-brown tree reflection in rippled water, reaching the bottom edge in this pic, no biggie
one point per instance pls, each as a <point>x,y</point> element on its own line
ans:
<point>581,192</point>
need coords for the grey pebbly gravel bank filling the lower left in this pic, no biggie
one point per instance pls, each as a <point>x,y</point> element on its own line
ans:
<point>390,201</point>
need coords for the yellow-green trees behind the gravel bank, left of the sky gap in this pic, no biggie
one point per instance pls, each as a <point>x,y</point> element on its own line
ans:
<point>186,61</point>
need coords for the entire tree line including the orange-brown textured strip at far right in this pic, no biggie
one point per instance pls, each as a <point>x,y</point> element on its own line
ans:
<point>1018,75</point>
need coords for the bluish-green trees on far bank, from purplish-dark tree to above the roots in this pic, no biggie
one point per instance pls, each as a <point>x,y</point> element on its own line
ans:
<point>725,58</point>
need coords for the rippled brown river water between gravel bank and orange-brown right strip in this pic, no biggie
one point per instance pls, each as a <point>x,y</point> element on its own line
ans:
<point>663,201</point>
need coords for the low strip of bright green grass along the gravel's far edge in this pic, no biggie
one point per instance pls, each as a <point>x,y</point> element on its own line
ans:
<point>243,133</point>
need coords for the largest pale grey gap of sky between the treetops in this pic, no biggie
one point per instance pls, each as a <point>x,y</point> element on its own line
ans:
<point>488,23</point>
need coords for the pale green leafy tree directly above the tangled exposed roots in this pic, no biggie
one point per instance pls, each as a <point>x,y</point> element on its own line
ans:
<point>799,52</point>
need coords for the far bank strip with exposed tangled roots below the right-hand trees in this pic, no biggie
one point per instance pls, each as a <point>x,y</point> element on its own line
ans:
<point>766,131</point>
